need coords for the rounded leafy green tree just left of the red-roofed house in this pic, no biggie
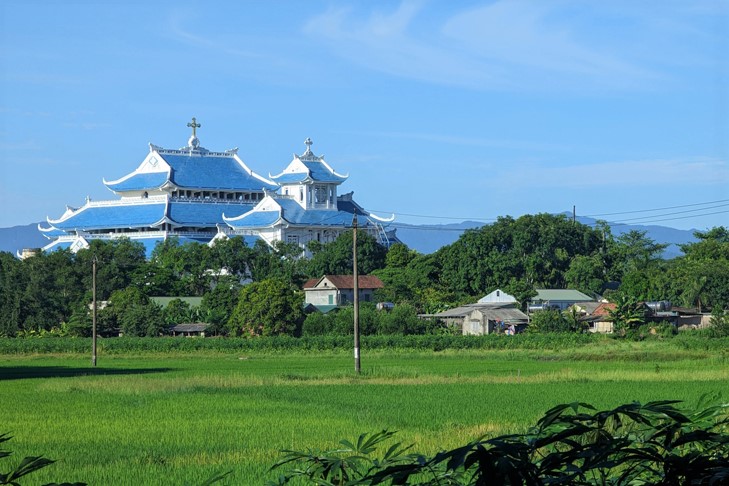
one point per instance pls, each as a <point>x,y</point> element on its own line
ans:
<point>266,308</point>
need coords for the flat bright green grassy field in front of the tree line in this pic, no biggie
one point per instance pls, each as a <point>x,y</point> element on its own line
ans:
<point>177,418</point>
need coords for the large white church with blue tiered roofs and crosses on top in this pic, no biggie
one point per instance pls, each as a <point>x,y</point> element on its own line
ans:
<point>197,195</point>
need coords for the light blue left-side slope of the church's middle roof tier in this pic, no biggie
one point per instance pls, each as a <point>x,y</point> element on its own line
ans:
<point>102,217</point>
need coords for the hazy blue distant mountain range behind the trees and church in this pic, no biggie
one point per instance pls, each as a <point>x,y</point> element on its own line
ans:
<point>423,238</point>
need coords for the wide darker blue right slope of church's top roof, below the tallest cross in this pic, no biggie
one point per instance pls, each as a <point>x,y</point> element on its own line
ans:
<point>208,172</point>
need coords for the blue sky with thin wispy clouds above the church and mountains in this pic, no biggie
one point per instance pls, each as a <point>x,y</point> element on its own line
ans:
<point>438,111</point>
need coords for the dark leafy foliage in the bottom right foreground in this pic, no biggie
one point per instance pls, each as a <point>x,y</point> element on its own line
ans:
<point>656,443</point>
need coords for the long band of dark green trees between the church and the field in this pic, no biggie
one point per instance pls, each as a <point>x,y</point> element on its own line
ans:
<point>256,290</point>
